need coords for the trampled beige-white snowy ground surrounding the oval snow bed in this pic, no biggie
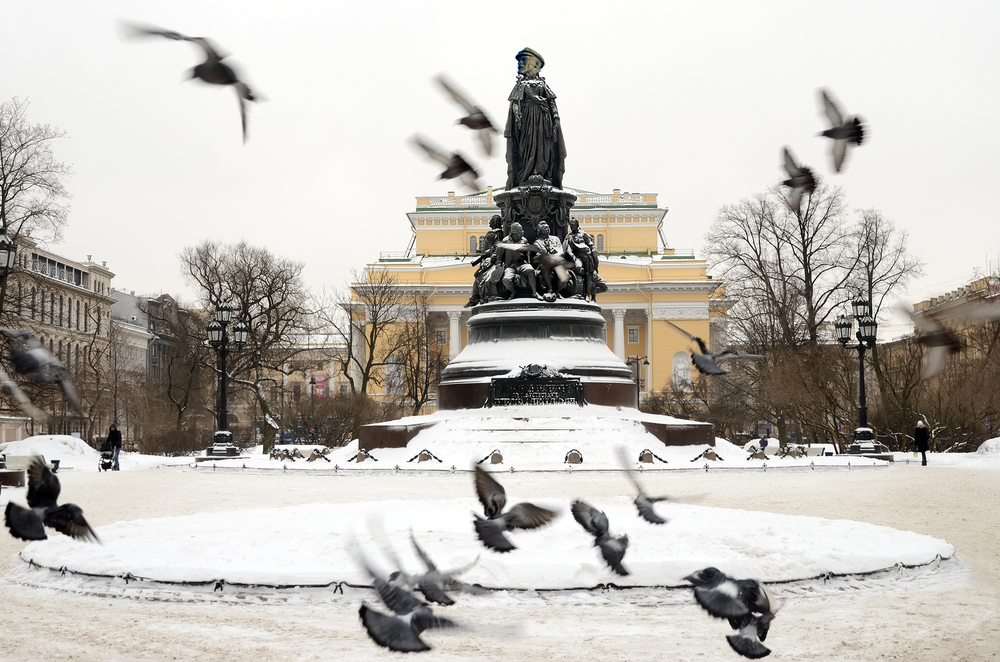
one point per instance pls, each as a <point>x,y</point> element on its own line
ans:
<point>929,615</point>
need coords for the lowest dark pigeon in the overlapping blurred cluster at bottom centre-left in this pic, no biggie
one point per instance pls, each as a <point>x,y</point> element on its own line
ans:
<point>401,631</point>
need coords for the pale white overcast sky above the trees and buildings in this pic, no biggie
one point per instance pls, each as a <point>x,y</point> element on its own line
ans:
<point>692,101</point>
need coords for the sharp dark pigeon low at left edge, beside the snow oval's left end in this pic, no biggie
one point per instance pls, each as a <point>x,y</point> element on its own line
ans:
<point>43,493</point>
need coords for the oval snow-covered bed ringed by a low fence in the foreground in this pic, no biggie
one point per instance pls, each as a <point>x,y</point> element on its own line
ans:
<point>256,546</point>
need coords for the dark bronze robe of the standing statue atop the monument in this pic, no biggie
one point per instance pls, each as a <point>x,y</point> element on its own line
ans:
<point>534,138</point>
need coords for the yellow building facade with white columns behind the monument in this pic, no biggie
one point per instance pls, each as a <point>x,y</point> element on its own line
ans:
<point>649,283</point>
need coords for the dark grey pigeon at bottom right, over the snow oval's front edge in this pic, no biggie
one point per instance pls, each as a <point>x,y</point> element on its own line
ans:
<point>746,603</point>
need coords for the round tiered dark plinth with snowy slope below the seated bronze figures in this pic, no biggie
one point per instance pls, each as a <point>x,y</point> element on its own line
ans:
<point>565,336</point>
